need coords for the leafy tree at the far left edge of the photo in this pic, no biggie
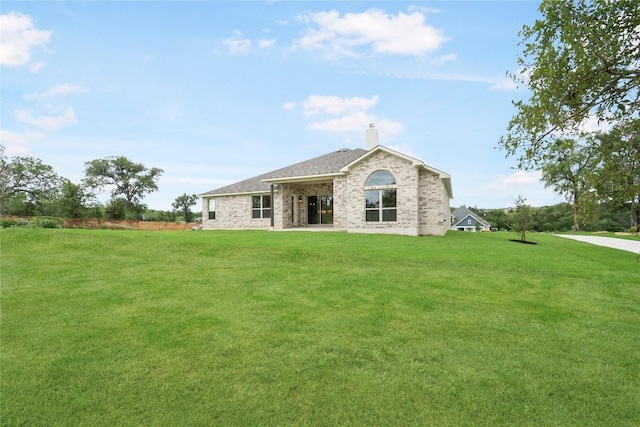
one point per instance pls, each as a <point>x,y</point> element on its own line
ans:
<point>28,181</point>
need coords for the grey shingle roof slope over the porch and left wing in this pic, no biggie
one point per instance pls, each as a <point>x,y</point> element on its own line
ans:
<point>327,164</point>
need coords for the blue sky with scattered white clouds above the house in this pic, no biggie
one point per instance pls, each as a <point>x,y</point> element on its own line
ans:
<point>216,92</point>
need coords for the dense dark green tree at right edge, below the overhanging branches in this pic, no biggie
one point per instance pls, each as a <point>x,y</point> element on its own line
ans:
<point>619,177</point>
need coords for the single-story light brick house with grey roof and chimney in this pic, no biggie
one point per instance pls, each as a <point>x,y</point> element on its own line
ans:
<point>377,190</point>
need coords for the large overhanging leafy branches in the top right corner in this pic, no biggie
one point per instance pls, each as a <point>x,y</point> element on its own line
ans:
<point>580,61</point>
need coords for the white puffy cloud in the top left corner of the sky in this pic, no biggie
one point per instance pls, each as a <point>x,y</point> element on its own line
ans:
<point>17,37</point>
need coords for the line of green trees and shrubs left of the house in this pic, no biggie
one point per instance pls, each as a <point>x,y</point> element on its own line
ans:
<point>28,187</point>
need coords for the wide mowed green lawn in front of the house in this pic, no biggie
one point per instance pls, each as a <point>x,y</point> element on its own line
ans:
<point>103,328</point>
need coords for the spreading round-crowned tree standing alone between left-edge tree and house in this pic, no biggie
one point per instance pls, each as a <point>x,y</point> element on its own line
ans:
<point>127,180</point>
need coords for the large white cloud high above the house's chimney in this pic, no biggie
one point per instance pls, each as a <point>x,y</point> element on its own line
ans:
<point>350,35</point>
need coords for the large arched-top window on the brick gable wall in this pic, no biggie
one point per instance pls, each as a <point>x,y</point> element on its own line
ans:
<point>380,203</point>
